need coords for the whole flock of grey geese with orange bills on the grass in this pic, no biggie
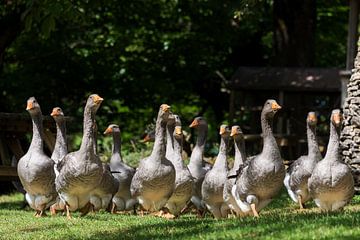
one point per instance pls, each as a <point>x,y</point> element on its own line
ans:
<point>162,185</point>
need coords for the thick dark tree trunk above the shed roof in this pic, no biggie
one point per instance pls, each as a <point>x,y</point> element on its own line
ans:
<point>294,32</point>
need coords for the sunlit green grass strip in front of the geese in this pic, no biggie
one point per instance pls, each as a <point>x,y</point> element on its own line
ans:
<point>281,220</point>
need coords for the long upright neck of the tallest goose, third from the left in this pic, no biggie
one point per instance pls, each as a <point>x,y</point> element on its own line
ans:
<point>87,143</point>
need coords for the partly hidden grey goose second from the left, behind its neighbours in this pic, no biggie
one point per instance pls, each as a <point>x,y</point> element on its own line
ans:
<point>60,150</point>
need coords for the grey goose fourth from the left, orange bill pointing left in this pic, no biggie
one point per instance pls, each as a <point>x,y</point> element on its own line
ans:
<point>121,171</point>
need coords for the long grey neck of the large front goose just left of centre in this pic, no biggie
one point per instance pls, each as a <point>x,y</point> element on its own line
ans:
<point>158,152</point>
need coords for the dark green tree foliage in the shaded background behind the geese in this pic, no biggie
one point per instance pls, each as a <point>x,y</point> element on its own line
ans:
<point>139,54</point>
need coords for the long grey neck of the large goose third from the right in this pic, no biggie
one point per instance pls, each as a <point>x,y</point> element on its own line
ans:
<point>270,146</point>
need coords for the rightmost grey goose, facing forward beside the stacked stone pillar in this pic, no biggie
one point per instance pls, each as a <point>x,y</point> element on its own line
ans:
<point>331,184</point>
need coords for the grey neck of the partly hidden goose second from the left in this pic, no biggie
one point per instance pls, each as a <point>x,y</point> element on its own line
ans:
<point>60,149</point>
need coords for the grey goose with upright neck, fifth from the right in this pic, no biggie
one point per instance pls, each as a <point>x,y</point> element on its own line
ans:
<point>213,185</point>
